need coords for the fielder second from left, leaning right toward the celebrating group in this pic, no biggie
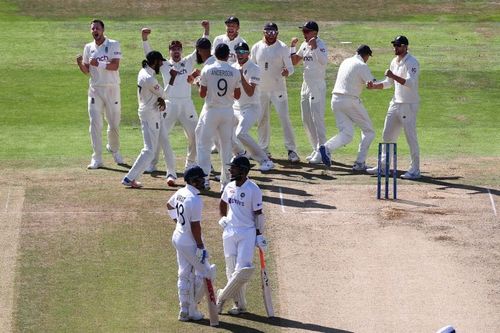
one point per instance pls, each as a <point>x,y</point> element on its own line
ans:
<point>151,98</point>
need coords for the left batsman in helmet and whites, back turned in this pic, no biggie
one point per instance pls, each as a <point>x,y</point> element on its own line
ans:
<point>185,208</point>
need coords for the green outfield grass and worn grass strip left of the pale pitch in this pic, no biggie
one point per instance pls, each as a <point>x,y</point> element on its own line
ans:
<point>115,270</point>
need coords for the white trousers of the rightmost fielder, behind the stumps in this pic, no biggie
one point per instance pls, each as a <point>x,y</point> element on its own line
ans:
<point>403,116</point>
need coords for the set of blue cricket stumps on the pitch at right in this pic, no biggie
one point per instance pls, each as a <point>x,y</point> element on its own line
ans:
<point>387,146</point>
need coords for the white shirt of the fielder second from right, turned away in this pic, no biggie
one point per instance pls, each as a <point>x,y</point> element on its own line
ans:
<point>352,76</point>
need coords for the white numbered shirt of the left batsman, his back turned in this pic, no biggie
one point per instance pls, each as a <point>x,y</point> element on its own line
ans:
<point>189,206</point>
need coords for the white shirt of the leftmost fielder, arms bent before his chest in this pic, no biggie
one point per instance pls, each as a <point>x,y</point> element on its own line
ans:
<point>109,49</point>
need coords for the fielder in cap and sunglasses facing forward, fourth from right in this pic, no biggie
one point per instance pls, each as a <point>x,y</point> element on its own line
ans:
<point>273,58</point>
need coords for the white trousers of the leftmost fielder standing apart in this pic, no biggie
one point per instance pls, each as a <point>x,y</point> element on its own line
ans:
<point>104,101</point>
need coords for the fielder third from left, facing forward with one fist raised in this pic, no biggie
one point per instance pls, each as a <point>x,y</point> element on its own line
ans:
<point>179,106</point>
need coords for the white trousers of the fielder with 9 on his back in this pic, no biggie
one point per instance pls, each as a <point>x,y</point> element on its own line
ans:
<point>218,123</point>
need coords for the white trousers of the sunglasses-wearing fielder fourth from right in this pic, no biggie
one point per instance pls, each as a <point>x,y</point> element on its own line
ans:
<point>280,102</point>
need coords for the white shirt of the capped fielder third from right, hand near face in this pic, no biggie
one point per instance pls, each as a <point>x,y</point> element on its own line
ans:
<point>315,61</point>
